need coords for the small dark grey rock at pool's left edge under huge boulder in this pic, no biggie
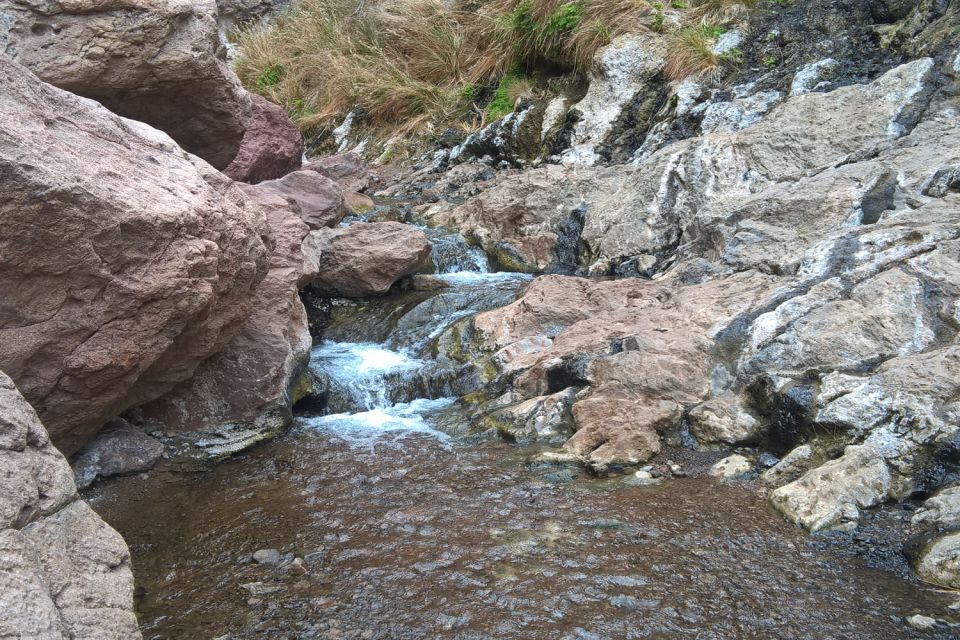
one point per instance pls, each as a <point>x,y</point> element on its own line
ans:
<point>119,449</point>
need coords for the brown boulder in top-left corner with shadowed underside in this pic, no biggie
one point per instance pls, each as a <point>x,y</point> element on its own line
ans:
<point>157,61</point>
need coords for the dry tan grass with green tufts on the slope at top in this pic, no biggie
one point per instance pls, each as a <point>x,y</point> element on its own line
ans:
<point>419,66</point>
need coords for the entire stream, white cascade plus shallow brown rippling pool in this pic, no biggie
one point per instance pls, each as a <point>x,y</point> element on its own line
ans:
<point>389,527</point>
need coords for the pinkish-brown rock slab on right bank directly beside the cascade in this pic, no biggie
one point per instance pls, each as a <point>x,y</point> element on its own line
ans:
<point>643,348</point>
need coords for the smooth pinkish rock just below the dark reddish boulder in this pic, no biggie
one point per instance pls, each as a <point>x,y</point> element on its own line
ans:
<point>316,199</point>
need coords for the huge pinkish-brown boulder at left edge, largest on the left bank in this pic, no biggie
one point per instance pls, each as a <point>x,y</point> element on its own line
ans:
<point>124,261</point>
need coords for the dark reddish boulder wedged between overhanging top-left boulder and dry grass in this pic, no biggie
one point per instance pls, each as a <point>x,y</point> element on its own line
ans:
<point>272,145</point>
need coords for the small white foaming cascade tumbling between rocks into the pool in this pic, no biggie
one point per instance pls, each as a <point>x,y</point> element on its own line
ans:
<point>394,386</point>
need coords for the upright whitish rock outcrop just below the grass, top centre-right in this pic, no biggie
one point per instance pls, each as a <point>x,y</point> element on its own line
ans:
<point>625,69</point>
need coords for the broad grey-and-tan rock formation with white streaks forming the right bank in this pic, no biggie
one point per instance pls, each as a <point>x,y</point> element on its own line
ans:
<point>805,282</point>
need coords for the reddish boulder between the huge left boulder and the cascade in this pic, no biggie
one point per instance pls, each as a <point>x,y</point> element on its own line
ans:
<point>246,393</point>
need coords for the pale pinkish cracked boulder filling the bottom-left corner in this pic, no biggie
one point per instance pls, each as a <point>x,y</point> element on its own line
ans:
<point>66,573</point>
